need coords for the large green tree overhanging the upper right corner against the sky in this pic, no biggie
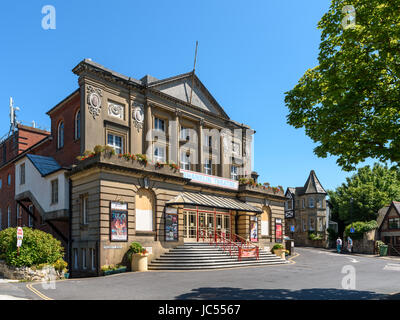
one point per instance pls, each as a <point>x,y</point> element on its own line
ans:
<point>349,103</point>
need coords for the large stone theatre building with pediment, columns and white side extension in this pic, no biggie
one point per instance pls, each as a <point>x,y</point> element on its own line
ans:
<point>161,163</point>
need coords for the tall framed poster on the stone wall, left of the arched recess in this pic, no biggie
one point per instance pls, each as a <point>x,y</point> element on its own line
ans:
<point>118,221</point>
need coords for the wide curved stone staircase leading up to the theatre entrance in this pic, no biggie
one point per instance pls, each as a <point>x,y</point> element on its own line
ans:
<point>198,256</point>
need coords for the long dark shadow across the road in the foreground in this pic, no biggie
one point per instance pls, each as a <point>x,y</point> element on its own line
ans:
<point>227,293</point>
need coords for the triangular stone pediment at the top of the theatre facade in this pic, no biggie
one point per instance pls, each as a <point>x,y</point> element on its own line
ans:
<point>180,87</point>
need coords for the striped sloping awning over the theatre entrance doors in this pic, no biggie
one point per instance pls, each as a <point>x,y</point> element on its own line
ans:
<point>199,199</point>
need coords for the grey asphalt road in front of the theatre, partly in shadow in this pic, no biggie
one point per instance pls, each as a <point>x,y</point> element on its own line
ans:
<point>316,274</point>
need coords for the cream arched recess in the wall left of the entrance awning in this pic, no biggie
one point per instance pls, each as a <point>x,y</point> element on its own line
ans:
<point>144,210</point>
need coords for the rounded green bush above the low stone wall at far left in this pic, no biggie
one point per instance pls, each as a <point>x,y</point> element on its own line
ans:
<point>37,248</point>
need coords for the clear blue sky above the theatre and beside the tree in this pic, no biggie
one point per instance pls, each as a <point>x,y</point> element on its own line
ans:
<point>250,53</point>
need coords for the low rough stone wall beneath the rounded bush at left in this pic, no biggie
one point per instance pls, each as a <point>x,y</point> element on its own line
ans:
<point>30,274</point>
